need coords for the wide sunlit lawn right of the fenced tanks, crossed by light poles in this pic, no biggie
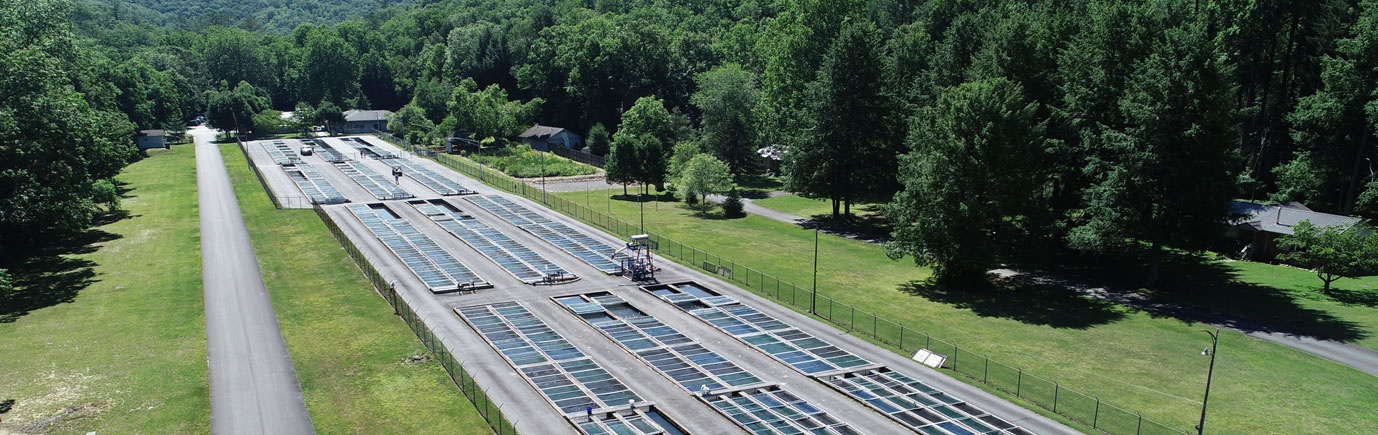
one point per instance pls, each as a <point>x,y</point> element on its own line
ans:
<point>1131,359</point>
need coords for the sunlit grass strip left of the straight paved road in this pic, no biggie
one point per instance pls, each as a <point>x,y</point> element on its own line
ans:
<point>111,332</point>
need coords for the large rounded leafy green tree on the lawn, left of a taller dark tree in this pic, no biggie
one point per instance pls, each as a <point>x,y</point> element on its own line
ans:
<point>972,180</point>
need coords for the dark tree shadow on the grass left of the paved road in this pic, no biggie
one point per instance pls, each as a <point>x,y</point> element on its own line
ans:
<point>49,273</point>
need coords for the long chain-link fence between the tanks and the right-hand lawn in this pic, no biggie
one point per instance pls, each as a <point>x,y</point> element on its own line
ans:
<point>1047,394</point>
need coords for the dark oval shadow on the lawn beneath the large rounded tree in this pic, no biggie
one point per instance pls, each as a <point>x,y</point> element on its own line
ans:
<point>1023,302</point>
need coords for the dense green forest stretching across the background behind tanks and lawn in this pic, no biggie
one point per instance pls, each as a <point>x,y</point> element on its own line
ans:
<point>1091,126</point>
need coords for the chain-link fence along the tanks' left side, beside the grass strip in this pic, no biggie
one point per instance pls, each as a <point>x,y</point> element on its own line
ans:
<point>493,412</point>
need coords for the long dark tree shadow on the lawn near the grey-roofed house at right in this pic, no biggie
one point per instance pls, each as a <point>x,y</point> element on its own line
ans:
<point>1201,291</point>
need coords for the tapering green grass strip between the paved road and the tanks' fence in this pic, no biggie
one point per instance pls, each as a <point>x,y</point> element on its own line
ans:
<point>348,348</point>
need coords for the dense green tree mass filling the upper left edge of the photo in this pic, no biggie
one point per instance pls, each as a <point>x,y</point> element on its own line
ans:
<point>59,152</point>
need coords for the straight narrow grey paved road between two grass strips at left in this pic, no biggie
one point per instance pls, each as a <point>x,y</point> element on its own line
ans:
<point>254,388</point>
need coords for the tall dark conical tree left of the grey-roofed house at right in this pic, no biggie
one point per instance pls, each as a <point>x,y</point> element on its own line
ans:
<point>1168,177</point>
